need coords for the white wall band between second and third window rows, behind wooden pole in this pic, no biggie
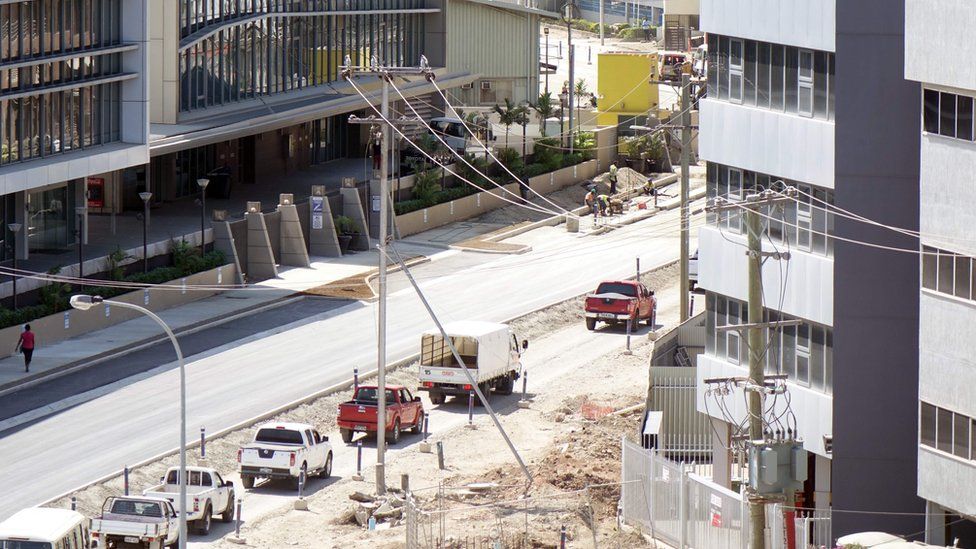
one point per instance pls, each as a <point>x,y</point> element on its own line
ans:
<point>723,268</point>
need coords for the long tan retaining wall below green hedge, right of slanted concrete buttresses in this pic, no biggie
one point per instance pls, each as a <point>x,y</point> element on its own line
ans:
<point>480,203</point>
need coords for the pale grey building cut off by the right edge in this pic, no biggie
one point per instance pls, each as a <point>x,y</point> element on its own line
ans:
<point>947,304</point>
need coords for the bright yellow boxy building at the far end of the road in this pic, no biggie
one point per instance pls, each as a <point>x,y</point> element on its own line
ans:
<point>624,88</point>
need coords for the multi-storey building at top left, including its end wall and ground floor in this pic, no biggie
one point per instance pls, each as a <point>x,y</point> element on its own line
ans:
<point>73,107</point>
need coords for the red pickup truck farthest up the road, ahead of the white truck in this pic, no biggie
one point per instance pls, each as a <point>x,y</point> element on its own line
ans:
<point>617,301</point>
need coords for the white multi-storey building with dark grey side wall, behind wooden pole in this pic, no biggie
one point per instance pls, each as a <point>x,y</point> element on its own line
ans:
<point>799,96</point>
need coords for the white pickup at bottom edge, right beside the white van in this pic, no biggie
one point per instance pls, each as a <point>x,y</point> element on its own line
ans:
<point>142,521</point>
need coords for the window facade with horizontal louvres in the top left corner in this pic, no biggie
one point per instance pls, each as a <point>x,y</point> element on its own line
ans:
<point>60,76</point>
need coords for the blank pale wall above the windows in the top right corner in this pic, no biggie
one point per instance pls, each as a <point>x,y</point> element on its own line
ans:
<point>939,42</point>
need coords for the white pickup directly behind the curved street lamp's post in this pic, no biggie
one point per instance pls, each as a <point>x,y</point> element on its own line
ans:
<point>206,493</point>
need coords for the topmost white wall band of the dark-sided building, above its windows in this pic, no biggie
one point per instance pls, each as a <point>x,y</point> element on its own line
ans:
<point>804,23</point>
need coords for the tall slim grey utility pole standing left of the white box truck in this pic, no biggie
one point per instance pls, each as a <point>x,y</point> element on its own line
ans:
<point>385,74</point>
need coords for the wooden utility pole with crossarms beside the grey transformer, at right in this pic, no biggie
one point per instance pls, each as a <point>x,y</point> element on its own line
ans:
<point>749,208</point>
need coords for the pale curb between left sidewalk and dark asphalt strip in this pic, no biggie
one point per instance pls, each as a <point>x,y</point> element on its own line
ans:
<point>64,369</point>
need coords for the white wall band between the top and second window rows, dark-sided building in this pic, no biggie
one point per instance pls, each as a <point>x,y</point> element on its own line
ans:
<point>778,144</point>
